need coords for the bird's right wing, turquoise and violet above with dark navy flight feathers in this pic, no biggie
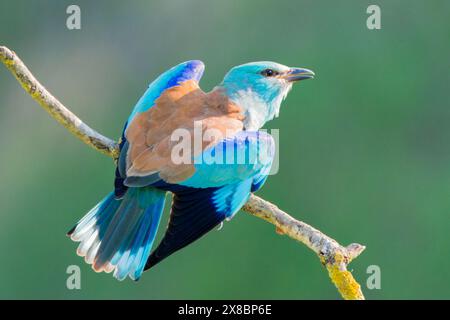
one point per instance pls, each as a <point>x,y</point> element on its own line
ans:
<point>196,209</point>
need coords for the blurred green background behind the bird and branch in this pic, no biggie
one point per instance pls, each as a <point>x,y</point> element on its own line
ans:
<point>365,147</point>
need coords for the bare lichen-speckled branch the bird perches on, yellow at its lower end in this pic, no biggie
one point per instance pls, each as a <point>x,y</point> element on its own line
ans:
<point>332,255</point>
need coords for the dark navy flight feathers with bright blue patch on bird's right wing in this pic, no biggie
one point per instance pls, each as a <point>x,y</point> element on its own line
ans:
<point>197,211</point>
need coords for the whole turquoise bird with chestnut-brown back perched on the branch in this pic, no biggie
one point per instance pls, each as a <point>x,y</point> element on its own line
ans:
<point>210,179</point>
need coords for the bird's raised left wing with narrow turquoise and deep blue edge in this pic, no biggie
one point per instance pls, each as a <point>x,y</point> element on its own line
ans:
<point>186,75</point>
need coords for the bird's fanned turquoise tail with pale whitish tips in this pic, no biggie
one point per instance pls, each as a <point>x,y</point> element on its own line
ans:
<point>118,234</point>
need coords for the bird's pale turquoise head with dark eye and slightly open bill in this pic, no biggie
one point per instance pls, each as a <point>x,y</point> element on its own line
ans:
<point>260,87</point>
